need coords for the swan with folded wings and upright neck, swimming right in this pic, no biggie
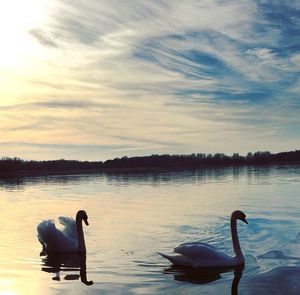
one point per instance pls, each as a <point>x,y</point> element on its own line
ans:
<point>199,254</point>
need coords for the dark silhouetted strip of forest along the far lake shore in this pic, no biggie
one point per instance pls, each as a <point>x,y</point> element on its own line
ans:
<point>17,166</point>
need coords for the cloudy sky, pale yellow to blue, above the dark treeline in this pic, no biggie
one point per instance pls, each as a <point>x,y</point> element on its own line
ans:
<point>99,79</point>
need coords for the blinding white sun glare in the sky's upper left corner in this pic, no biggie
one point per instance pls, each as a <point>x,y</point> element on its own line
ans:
<point>19,51</point>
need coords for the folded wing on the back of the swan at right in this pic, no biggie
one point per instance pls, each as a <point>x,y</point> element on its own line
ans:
<point>197,249</point>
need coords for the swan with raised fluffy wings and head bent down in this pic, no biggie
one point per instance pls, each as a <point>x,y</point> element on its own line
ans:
<point>70,239</point>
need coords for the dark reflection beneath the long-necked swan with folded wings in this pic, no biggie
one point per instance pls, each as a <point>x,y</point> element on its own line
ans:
<point>206,275</point>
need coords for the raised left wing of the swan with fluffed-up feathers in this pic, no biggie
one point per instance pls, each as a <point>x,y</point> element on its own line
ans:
<point>54,239</point>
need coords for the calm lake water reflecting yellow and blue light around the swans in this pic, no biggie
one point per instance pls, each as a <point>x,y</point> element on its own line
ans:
<point>134,215</point>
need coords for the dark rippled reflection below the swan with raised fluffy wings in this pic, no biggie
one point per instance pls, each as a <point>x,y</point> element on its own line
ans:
<point>57,262</point>
